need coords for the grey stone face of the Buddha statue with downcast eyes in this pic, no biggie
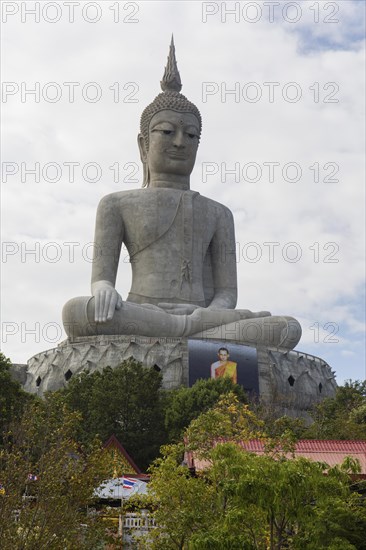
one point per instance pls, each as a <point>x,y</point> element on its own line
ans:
<point>173,143</point>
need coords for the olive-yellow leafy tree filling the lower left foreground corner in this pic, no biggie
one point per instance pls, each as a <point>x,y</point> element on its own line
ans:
<point>48,479</point>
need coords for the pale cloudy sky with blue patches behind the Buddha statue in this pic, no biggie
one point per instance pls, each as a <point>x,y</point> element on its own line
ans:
<point>281,90</point>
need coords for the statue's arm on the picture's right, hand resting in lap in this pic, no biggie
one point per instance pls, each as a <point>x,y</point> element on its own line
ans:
<point>224,263</point>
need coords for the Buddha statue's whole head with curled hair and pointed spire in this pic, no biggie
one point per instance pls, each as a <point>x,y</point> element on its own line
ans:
<point>170,128</point>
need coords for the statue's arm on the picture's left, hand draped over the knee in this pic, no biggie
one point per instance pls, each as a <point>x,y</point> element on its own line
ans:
<point>108,242</point>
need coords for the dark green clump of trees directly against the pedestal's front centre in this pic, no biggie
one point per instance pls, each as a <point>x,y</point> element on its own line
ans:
<point>129,402</point>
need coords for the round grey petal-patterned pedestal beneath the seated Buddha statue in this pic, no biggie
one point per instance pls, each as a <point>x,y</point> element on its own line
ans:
<point>292,380</point>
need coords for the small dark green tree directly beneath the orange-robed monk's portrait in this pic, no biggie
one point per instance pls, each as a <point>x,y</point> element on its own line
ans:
<point>185,404</point>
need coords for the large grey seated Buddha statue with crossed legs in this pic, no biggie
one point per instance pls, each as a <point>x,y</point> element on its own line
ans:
<point>181,246</point>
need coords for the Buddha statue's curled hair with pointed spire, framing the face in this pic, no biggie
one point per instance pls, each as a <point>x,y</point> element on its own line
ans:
<point>169,99</point>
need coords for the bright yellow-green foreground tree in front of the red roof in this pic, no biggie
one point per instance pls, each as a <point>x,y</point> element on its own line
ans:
<point>242,500</point>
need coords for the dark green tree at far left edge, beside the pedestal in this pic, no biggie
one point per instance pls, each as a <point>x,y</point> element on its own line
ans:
<point>12,397</point>
